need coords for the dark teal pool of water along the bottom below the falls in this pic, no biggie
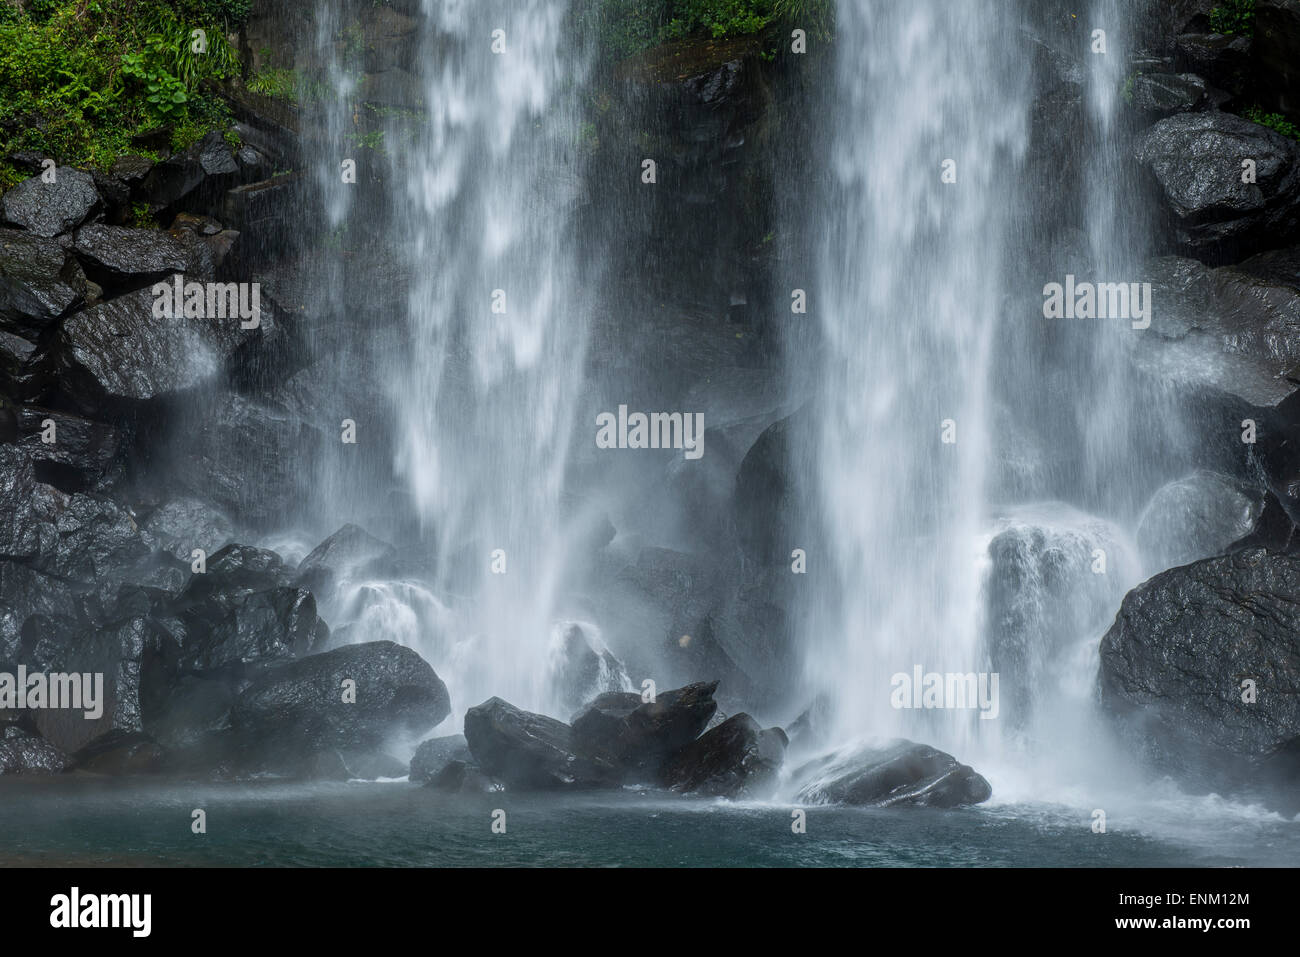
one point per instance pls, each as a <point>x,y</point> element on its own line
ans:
<point>107,822</point>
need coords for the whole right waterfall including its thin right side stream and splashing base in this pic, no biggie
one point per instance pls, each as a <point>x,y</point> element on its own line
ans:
<point>978,471</point>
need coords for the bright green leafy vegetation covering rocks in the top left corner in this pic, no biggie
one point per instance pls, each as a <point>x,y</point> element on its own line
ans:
<point>80,79</point>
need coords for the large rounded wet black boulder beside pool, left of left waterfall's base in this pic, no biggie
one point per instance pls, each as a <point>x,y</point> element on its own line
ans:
<point>301,707</point>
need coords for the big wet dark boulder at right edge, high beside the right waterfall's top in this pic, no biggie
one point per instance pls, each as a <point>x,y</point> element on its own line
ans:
<point>1195,161</point>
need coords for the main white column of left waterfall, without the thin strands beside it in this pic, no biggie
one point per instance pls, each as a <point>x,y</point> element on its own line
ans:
<point>499,314</point>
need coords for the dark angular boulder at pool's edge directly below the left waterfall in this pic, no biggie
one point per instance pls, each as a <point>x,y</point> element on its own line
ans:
<point>531,751</point>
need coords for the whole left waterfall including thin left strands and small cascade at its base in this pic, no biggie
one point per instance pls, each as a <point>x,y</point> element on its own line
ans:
<point>484,370</point>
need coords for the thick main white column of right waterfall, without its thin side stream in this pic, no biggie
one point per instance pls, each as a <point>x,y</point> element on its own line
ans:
<point>909,292</point>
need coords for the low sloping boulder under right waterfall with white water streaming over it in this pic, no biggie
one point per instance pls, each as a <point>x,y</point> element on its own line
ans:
<point>894,774</point>
